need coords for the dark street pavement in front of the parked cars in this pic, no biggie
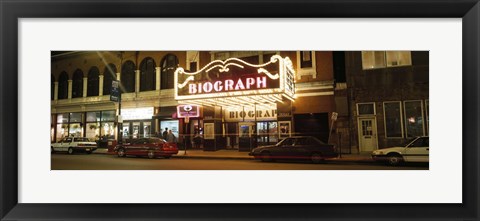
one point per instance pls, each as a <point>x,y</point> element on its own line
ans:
<point>63,161</point>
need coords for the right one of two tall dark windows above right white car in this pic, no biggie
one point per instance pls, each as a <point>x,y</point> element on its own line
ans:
<point>414,118</point>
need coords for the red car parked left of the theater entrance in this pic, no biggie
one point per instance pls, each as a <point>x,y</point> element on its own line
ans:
<point>151,147</point>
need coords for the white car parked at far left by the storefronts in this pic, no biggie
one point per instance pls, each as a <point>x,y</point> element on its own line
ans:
<point>74,144</point>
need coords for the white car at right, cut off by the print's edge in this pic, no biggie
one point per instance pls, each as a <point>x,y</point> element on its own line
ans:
<point>415,150</point>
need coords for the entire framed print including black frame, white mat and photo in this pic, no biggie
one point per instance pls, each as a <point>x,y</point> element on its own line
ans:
<point>33,31</point>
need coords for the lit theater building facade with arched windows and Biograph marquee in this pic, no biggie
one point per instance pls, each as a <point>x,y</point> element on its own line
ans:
<point>232,100</point>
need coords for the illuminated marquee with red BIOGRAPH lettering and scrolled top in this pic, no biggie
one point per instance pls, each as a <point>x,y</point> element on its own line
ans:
<point>235,77</point>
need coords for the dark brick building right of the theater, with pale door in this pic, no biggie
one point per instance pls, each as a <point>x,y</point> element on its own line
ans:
<point>385,99</point>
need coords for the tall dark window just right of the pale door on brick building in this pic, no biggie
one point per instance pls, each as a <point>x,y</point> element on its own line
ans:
<point>393,119</point>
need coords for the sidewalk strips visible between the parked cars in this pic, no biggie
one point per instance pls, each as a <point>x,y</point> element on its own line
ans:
<point>363,157</point>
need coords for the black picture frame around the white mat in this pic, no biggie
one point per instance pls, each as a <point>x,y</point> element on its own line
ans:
<point>11,11</point>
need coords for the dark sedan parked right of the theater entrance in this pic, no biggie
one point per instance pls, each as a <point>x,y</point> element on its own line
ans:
<point>301,147</point>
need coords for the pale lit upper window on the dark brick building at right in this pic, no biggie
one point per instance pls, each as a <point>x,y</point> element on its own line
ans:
<point>382,59</point>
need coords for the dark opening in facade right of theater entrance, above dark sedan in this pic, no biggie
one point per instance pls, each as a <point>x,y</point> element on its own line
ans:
<point>312,125</point>
